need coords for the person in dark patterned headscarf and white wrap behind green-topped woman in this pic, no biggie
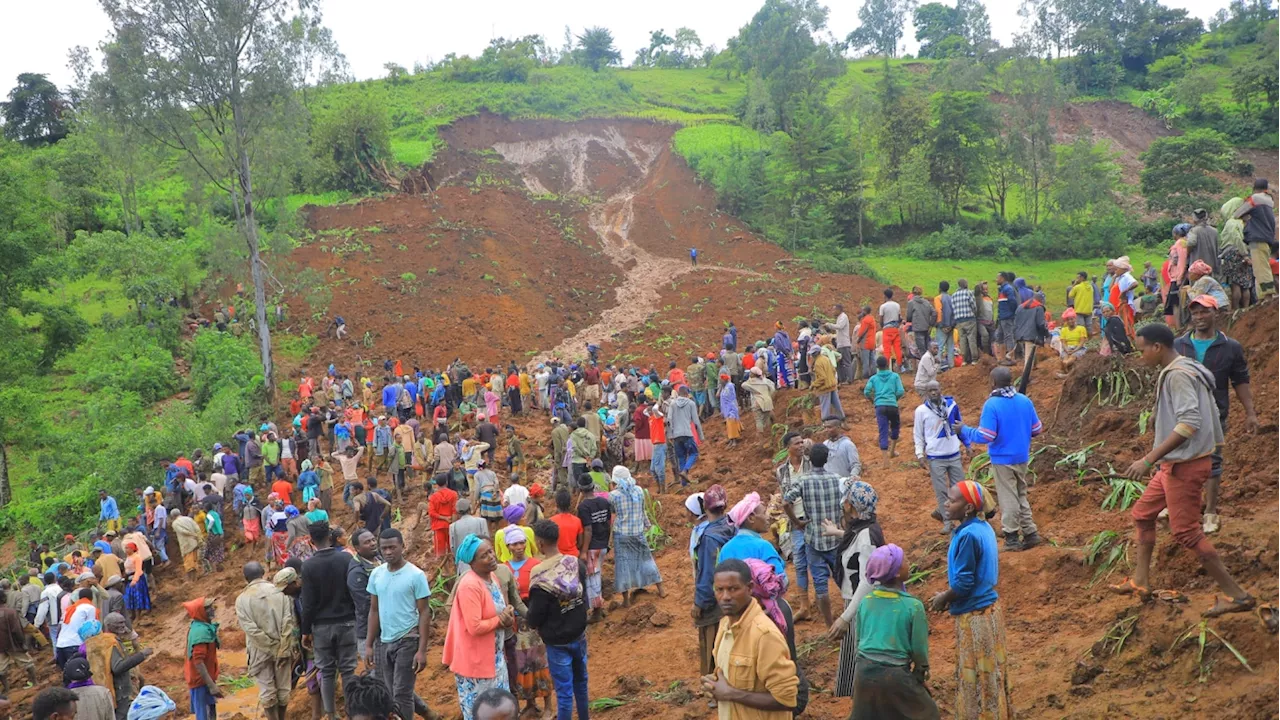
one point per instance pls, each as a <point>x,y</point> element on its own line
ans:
<point>860,537</point>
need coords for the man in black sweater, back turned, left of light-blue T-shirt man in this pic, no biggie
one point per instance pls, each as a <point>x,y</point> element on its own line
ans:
<point>328,616</point>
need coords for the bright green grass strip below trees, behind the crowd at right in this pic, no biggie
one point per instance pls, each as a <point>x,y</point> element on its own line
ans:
<point>1054,276</point>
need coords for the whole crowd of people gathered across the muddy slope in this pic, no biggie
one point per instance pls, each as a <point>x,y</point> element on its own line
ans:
<point>324,609</point>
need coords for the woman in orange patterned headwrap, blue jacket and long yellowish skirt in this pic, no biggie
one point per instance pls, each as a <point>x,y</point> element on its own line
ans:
<point>973,572</point>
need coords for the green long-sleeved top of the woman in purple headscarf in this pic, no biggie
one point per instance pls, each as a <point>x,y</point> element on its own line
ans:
<point>893,628</point>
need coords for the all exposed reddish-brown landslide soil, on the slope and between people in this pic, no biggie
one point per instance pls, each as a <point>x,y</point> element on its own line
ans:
<point>647,657</point>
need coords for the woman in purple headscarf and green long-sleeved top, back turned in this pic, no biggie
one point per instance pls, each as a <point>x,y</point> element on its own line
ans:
<point>893,645</point>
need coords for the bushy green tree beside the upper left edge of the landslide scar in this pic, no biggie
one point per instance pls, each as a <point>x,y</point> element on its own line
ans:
<point>349,140</point>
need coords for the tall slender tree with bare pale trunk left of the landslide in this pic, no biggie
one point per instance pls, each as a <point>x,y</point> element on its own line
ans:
<point>214,80</point>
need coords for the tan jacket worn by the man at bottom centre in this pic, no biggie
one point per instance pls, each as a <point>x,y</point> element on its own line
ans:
<point>755,657</point>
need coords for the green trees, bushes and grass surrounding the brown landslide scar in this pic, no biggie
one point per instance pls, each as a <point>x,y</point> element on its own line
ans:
<point>124,199</point>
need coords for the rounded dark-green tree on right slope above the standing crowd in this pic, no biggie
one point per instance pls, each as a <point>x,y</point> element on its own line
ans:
<point>1177,174</point>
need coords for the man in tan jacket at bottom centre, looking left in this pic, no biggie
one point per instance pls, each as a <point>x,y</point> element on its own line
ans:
<point>752,651</point>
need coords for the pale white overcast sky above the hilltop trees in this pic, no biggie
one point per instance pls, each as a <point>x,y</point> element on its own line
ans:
<point>373,33</point>
